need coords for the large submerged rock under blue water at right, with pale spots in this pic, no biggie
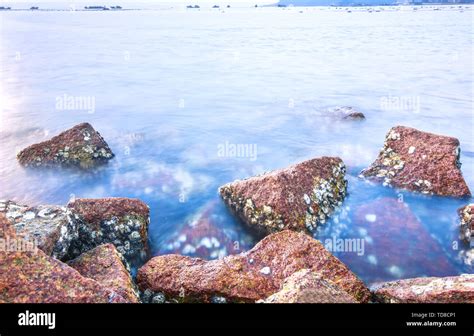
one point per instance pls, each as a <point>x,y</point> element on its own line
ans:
<point>396,245</point>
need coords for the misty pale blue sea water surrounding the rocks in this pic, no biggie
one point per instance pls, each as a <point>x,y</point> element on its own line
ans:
<point>169,86</point>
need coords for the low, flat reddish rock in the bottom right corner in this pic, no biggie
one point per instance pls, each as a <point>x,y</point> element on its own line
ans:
<point>455,289</point>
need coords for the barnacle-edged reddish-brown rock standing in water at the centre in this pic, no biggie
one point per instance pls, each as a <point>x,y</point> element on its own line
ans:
<point>298,197</point>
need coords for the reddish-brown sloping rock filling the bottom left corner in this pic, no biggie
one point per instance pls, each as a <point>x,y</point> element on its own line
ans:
<point>30,276</point>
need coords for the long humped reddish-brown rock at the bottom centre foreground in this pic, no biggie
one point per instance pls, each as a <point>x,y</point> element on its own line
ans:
<point>239,278</point>
